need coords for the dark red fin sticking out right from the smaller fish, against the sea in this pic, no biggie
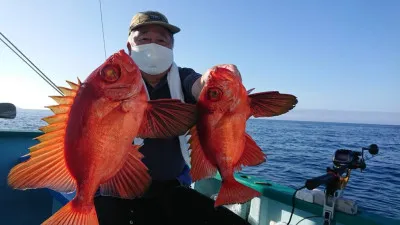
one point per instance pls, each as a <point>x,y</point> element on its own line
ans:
<point>273,103</point>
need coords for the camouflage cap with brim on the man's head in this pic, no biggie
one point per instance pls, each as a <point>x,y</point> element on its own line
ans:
<point>152,17</point>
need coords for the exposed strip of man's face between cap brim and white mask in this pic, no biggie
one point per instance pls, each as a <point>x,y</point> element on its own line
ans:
<point>152,34</point>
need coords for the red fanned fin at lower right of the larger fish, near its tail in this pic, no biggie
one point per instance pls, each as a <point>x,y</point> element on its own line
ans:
<point>131,180</point>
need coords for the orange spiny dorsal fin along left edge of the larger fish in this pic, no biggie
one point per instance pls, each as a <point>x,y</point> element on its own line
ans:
<point>46,166</point>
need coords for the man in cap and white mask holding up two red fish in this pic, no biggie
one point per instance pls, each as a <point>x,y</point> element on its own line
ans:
<point>169,199</point>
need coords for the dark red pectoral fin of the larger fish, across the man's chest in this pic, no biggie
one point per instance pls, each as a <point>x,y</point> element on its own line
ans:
<point>167,118</point>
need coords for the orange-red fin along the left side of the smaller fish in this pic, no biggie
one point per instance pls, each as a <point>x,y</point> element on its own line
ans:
<point>201,167</point>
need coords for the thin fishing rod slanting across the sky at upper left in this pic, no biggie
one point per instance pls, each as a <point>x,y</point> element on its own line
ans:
<point>24,58</point>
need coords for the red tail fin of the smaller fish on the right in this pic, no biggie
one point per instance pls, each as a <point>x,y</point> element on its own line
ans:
<point>234,192</point>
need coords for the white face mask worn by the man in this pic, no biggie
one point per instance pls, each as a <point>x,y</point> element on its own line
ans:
<point>152,58</point>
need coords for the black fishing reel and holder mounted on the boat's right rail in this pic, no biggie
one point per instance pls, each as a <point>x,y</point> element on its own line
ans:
<point>344,160</point>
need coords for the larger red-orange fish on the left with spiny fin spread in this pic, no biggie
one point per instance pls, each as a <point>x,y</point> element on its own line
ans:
<point>88,143</point>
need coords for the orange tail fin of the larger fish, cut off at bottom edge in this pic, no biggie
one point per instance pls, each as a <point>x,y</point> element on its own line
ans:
<point>69,214</point>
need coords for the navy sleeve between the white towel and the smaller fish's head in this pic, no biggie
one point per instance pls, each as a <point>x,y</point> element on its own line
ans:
<point>188,77</point>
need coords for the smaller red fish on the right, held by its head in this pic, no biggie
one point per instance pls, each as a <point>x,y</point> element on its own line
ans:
<point>219,141</point>
